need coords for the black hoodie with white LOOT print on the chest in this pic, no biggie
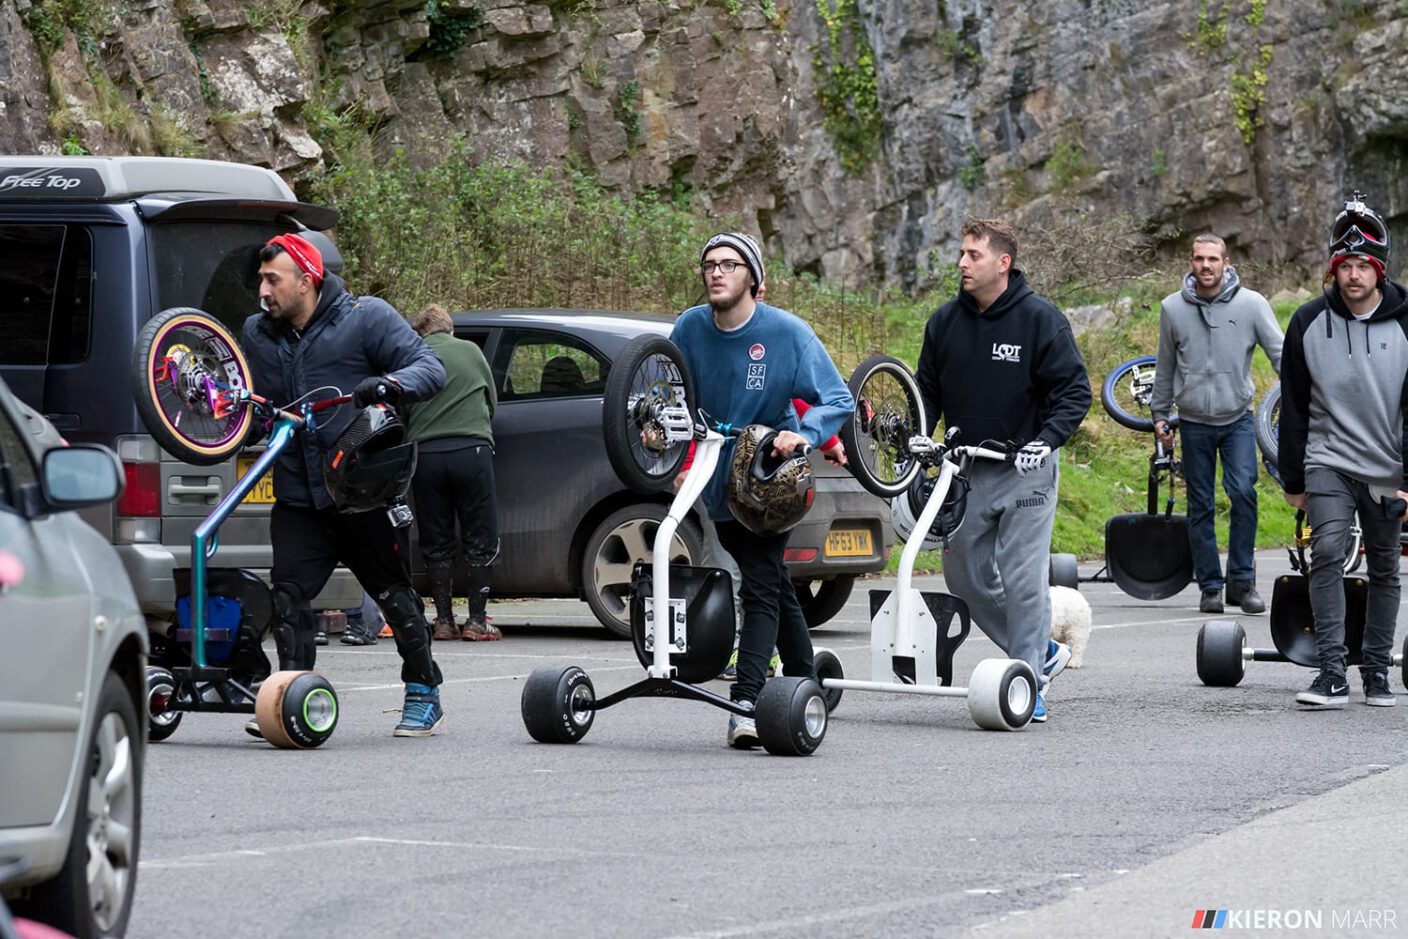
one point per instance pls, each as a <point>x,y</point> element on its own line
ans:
<point>1009,374</point>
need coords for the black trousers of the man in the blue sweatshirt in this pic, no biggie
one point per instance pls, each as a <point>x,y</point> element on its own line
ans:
<point>772,616</point>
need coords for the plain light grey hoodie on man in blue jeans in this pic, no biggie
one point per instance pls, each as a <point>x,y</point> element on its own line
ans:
<point>1206,351</point>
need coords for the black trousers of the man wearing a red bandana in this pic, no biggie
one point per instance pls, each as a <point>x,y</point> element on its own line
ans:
<point>308,547</point>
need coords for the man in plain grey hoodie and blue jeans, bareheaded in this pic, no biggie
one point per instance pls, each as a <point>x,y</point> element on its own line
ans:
<point>1207,334</point>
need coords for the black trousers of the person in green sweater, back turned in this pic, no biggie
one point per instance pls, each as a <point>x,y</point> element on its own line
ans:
<point>457,485</point>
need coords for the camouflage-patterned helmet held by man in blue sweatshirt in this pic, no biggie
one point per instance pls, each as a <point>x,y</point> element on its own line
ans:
<point>768,495</point>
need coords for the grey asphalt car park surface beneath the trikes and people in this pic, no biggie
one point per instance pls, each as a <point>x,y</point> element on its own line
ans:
<point>1145,800</point>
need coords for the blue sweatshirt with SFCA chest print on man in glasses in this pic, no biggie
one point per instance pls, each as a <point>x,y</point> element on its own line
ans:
<point>751,377</point>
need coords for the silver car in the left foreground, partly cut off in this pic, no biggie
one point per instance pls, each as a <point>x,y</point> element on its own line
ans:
<point>73,689</point>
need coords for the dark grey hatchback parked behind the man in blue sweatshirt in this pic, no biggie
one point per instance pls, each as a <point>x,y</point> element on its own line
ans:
<point>570,527</point>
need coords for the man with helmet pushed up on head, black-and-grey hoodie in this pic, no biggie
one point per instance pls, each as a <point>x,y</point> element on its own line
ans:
<point>1344,382</point>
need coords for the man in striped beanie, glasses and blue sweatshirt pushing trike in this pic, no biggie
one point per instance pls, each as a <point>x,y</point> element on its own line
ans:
<point>750,361</point>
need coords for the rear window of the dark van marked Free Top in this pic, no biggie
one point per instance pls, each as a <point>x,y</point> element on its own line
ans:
<point>210,265</point>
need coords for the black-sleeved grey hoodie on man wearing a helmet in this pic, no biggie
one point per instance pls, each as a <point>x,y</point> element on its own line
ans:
<point>1344,386</point>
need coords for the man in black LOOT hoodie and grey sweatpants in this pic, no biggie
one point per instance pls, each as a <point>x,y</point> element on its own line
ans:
<point>1000,364</point>
